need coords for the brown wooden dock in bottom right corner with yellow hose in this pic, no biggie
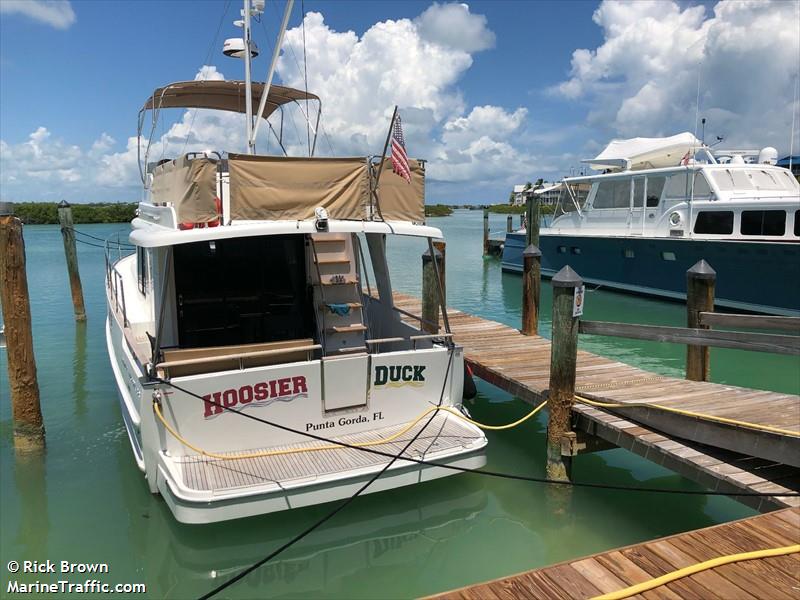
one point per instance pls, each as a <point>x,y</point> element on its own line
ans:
<point>777,577</point>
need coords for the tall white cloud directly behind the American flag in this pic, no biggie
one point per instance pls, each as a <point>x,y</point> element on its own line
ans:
<point>420,62</point>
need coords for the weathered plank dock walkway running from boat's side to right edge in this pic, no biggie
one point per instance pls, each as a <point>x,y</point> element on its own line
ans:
<point>719,456</point>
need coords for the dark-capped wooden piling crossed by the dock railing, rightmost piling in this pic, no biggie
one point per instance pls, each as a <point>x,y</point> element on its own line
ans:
<point>700,282</point>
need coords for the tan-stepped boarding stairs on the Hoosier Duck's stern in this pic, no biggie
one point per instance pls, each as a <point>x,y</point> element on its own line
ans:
<point>337,296</point>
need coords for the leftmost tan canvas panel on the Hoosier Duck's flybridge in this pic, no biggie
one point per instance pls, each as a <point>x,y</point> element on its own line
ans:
<point>190,185</point>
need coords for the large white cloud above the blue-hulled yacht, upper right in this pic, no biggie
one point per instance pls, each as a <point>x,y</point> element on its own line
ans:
<point>643,79</point>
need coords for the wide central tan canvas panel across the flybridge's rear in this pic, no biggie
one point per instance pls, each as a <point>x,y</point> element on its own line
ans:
<point>281,188</point>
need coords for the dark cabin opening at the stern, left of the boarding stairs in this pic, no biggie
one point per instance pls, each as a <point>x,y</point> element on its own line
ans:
<point>242,291</point>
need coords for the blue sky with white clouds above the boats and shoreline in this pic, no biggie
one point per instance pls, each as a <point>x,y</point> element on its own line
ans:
<point>492,93</point>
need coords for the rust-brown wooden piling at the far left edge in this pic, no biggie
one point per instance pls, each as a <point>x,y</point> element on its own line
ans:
<point>25,408</point>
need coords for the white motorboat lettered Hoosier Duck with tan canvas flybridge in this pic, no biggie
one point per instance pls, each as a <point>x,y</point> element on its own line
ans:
<point>261,362</point>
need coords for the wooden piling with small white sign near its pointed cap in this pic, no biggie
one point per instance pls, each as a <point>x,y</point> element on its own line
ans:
<point>563,362</point>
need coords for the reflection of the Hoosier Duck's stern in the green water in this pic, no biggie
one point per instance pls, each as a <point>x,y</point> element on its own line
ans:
<point>379,532</point>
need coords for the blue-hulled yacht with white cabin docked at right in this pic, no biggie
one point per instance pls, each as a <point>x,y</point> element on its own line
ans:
<point>662,204</point>
